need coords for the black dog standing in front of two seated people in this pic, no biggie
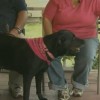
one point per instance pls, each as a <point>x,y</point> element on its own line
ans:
<point>16,54</point>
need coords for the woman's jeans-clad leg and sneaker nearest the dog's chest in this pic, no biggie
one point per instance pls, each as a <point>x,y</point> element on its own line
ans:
<point>57,79</point>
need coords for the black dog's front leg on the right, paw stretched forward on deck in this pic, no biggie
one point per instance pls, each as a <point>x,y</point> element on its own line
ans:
<point>38,79</point>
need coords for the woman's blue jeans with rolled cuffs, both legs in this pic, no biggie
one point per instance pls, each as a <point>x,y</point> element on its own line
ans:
<point>83,64</point>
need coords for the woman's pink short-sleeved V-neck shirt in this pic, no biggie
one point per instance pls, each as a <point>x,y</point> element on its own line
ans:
<point>81,20</point>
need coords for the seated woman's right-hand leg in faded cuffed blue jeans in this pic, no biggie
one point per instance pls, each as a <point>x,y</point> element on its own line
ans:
<point>83,64</point>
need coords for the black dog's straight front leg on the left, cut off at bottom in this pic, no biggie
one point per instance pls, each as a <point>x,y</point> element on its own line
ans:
<point>27,79</point>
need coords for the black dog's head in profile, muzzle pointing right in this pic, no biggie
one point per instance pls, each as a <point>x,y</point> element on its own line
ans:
<point>67,43</point>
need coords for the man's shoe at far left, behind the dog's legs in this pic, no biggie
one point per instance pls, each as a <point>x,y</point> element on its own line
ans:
<point>16,92</point>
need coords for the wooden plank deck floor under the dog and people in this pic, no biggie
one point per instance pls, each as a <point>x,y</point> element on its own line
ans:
<point>89,94</point>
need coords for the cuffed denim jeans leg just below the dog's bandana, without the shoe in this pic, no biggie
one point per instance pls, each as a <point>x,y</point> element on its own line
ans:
<point>56,75</point>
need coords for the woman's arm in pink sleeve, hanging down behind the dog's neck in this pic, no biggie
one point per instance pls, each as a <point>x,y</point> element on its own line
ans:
<point>48,15</point>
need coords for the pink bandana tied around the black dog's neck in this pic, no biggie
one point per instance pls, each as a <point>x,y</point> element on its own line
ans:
<point>39,48</point>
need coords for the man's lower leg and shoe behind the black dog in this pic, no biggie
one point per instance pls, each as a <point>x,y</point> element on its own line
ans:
<point>15,84</point>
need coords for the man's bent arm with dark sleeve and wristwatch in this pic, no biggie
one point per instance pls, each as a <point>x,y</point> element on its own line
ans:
<point>21,17</point>
